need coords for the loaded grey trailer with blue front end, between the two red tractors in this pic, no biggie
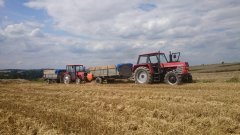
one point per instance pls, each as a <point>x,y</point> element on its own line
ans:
<point>111,72</point>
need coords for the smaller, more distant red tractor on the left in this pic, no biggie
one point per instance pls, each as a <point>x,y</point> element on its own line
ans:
<point>77,74</point>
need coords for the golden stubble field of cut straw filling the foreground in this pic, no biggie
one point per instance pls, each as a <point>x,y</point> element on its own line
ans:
<point>198,108</point>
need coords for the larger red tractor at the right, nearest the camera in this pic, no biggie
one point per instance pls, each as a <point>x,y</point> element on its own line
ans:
<point>155,67</point>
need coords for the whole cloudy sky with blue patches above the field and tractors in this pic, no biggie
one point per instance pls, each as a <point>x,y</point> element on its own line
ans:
<point>53,33</point>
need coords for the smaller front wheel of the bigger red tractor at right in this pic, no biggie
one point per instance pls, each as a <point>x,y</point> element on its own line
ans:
<point>172,78</point>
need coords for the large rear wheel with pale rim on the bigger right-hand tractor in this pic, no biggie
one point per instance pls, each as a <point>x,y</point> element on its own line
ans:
<point>142,75</point>
